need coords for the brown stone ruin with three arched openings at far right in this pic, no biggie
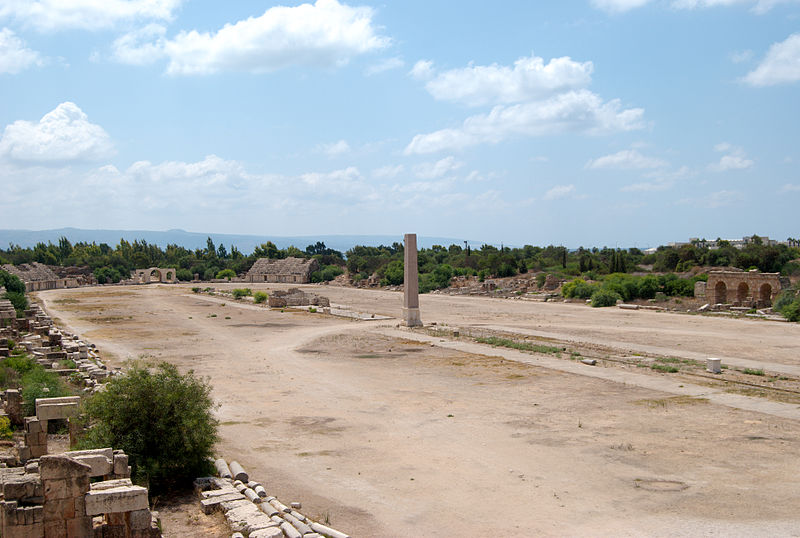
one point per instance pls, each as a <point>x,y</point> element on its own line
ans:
<point>739,288</point>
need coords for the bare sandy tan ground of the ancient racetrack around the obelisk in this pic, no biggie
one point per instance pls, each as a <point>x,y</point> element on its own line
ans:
<point>387,436</point>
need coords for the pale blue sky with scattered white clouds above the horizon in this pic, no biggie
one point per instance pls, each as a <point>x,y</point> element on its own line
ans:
<point>583,122</point>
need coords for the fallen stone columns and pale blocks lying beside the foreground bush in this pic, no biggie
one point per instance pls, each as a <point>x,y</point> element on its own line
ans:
<point>249,509</point>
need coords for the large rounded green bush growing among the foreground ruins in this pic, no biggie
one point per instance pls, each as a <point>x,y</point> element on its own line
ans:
<point>163,420</point>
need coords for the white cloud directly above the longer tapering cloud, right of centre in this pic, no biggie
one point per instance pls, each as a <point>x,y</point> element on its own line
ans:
<point>529,79</point>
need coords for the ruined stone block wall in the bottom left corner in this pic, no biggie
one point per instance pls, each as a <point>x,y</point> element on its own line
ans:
<point>52,497</point>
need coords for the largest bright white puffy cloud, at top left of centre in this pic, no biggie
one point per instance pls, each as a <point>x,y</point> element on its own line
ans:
<point>324,34</point>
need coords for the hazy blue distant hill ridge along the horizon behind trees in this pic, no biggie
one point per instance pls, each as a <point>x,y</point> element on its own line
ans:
<point>193,240</point>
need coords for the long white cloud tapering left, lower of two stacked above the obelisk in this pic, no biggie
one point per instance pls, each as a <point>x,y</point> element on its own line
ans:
<point>576,111</point>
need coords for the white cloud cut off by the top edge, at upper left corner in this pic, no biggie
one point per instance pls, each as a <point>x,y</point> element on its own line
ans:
<point>49,15</point>
